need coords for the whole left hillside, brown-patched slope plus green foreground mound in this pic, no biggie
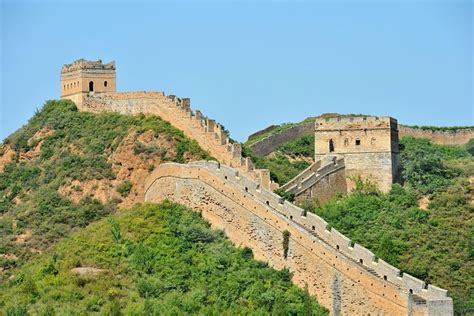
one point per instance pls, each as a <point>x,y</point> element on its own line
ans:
<point>66,178</point>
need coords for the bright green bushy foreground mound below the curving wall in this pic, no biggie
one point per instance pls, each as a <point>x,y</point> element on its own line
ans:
<point>151,259</point>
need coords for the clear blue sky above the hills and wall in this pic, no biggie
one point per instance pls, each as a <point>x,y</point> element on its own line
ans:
<point>249,65</point>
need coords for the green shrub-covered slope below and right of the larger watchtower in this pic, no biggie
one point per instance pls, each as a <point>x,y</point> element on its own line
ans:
<point>435,244</point>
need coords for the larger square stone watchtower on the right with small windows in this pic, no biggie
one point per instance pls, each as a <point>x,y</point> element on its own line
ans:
<point>369,146</point>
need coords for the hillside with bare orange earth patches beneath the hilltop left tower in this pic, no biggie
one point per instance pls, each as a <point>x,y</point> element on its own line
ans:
<point>61,146</point>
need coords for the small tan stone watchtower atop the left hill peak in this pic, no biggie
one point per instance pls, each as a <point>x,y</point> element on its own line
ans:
<point>83,77</point>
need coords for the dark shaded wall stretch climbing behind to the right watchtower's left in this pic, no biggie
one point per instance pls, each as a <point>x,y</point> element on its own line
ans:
<point>270,143</point>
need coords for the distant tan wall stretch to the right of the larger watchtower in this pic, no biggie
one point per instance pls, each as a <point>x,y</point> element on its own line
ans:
<point>447,137</point>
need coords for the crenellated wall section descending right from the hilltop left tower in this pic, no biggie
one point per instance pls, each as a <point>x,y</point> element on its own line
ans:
<point>209,134</point>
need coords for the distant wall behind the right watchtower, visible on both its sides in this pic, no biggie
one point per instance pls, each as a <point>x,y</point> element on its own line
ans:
<point>444,137</point>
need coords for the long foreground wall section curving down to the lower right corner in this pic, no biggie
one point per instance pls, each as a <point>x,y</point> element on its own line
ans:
<point>345,277</point>
